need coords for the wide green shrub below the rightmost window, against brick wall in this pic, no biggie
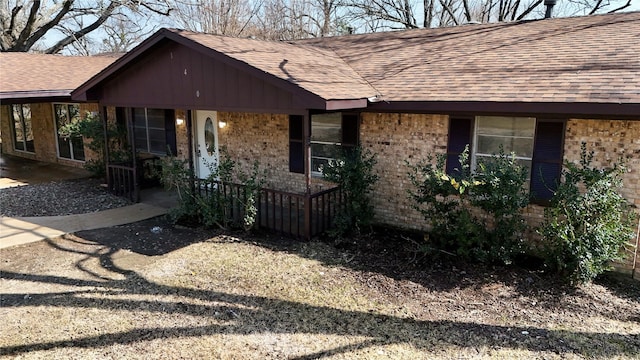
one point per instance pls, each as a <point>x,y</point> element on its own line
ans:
<point>475,215</point>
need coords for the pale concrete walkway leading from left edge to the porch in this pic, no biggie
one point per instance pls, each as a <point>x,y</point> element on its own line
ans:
<point>24,230</point>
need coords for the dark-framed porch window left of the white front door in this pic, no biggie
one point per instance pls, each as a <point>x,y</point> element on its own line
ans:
<point>154,131</point>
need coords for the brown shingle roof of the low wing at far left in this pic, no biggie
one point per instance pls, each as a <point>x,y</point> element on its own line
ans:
<point>29,75</point>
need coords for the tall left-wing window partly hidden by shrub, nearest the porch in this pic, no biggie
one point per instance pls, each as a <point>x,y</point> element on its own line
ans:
<point>69,147</point>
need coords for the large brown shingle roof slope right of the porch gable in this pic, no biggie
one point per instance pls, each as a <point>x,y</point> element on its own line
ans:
<point>581,59</point>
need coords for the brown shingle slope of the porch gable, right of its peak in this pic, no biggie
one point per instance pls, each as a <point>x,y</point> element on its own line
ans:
<point>315,69</point>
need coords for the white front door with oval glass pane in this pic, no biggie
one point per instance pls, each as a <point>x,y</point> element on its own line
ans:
<point>206,144</point>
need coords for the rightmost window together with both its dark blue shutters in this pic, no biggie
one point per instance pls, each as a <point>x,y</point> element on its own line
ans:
<point>537,144</point>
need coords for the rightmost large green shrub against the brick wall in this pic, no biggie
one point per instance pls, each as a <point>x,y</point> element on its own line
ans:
<point>588,223</point>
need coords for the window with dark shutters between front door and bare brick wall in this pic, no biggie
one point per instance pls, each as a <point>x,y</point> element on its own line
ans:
<point>329,133</point>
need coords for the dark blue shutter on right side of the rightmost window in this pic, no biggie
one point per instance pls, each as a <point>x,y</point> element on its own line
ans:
<point>547,159</point>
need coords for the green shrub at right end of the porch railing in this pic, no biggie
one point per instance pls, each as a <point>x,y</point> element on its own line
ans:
<point>353,172</point>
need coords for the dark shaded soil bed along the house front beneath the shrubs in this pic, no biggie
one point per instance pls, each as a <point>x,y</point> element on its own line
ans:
<point>391,254</point>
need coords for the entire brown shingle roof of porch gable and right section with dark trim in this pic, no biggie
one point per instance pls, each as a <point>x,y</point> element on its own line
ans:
<point>580,60</point>
